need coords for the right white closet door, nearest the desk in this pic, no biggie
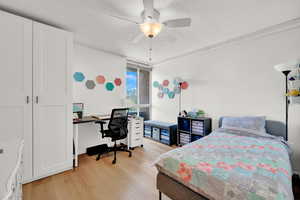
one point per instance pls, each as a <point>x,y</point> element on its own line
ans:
<point>52,111</point>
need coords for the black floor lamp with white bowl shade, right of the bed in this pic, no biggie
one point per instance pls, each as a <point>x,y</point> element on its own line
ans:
<point>286,70</point>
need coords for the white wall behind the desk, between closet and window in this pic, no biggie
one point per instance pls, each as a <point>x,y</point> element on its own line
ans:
<point>97,101</point>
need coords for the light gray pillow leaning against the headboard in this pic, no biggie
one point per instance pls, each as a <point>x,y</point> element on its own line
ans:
<point>251,123</point>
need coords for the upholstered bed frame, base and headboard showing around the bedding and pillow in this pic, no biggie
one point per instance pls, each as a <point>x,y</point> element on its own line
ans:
<point>177,191</point>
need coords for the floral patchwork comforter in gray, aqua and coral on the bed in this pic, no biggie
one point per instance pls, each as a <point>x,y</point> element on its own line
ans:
<point>232,164</point>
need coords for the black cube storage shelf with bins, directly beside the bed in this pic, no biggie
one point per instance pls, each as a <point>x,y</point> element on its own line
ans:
<point>192,129</point>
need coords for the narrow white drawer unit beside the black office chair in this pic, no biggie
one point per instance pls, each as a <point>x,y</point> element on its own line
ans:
<point>135,129</point>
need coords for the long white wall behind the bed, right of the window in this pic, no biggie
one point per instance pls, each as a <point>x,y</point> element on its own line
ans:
<point>236,79</point>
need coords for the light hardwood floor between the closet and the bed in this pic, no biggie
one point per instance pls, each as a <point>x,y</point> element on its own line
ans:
<point>130,179</point>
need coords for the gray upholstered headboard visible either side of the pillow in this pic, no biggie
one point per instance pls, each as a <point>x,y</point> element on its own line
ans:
<point>275,128</point>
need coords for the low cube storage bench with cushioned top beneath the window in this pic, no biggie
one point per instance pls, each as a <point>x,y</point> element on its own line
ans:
<point>162,132</point>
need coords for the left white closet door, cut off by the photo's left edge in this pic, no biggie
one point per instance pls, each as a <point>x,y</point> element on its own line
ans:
<point>16,83</point>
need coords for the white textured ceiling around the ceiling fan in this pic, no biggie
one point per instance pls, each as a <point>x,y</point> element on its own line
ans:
<point>214,21</point>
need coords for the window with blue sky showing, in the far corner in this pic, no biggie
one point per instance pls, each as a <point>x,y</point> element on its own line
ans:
<point>138,90</point>
